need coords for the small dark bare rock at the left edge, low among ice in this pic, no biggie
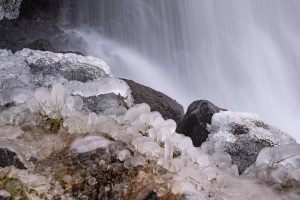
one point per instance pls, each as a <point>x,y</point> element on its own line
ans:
<point>9,158</point>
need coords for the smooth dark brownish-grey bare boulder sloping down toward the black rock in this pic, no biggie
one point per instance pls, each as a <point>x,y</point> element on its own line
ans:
<point>168,108</point>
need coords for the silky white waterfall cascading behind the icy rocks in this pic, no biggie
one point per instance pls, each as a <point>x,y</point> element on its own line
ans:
<point>242,55</point>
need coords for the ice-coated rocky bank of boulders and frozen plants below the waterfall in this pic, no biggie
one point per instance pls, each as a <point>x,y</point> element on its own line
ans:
<point>69,129</point>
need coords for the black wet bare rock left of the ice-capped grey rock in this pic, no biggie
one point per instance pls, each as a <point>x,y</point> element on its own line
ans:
<point>194,123</point>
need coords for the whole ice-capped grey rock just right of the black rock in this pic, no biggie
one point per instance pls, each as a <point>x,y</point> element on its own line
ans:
<point>243,135</point>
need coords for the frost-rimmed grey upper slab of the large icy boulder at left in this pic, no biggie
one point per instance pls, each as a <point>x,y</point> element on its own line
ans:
<point>70,66</point>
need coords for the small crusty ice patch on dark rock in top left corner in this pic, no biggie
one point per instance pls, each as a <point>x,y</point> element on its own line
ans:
<point>9,9</point>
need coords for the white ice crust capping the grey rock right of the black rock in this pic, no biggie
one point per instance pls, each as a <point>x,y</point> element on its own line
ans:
<point>228,126</point>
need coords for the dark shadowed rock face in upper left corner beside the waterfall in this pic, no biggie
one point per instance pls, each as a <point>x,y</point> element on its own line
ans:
<point>27,21</point>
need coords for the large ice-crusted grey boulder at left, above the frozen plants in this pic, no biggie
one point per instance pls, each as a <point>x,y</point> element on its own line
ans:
<point>85,76</point>
